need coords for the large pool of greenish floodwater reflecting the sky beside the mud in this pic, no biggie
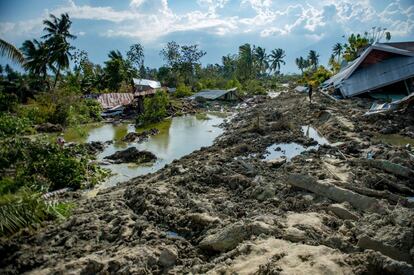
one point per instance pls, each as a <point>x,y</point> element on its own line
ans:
<point>178,137</point>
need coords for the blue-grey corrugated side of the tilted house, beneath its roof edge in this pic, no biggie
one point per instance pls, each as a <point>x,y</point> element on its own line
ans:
<point>379,75</point>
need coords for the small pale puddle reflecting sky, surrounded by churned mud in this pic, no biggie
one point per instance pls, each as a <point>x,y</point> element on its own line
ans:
<point>293,149</point>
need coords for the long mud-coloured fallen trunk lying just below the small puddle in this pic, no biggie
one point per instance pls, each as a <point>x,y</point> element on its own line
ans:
<point>335,193</point>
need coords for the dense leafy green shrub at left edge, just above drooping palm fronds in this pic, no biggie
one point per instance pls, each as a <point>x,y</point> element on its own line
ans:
<point>46,166</point>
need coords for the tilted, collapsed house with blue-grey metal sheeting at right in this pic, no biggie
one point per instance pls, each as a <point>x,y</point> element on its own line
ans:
<point>382,70</point>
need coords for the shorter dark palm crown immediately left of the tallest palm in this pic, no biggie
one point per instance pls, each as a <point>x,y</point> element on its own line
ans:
<point>37,57</point>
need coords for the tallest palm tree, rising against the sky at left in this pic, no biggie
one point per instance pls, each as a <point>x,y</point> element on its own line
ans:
<point>57,34</point>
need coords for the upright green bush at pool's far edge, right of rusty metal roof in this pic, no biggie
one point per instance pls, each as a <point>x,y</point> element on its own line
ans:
<point>155,108</point>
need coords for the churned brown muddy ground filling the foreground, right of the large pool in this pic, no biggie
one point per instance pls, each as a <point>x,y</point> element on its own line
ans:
<point>340,208</point>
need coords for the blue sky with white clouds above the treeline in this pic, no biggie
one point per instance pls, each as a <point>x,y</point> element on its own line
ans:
<point>217,26</point>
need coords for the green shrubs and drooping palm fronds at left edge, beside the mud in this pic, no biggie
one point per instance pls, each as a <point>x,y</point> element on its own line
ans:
<point>29,168</point>
